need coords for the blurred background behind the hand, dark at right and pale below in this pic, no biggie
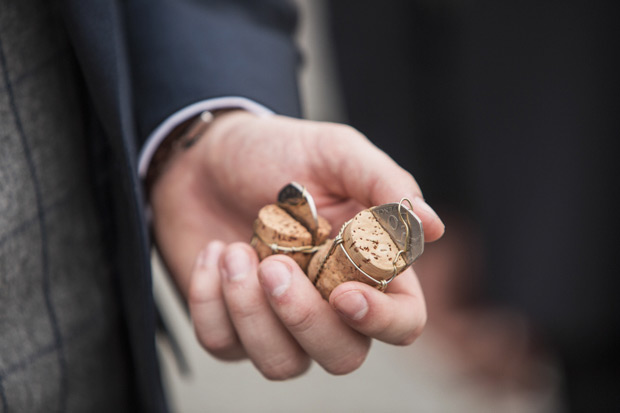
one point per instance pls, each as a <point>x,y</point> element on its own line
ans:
<point>506,112</point>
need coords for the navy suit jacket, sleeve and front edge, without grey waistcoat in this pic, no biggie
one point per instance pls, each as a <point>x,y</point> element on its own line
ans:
<point>181,52</point>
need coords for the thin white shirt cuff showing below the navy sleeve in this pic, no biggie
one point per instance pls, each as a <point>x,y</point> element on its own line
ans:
<point>158,135</point>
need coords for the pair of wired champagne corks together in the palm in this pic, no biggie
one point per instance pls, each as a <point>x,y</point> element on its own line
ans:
<point>373,247</point>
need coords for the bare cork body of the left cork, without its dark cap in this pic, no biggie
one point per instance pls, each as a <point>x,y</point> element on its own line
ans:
<point>275,226</point>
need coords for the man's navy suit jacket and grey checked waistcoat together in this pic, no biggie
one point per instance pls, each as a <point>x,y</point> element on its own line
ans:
<point>82,83</point>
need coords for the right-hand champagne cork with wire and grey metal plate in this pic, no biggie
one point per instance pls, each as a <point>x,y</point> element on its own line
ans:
<point>372,248</point>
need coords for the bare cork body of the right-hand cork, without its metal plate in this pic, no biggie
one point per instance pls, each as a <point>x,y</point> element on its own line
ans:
<point>369,245</point>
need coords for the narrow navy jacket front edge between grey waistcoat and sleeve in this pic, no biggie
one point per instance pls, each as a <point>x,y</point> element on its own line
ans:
<point>97,34</point>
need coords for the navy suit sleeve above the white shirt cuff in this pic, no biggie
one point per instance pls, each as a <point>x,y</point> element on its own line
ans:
<point>185,51</point>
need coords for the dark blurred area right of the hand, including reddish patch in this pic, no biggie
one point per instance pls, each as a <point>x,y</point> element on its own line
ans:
<point>507,113</point>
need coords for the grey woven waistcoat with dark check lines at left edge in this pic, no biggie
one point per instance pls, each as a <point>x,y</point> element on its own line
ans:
<point>59,319</point>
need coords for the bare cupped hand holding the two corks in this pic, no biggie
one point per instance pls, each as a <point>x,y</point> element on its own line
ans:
<point>204,204</point>
